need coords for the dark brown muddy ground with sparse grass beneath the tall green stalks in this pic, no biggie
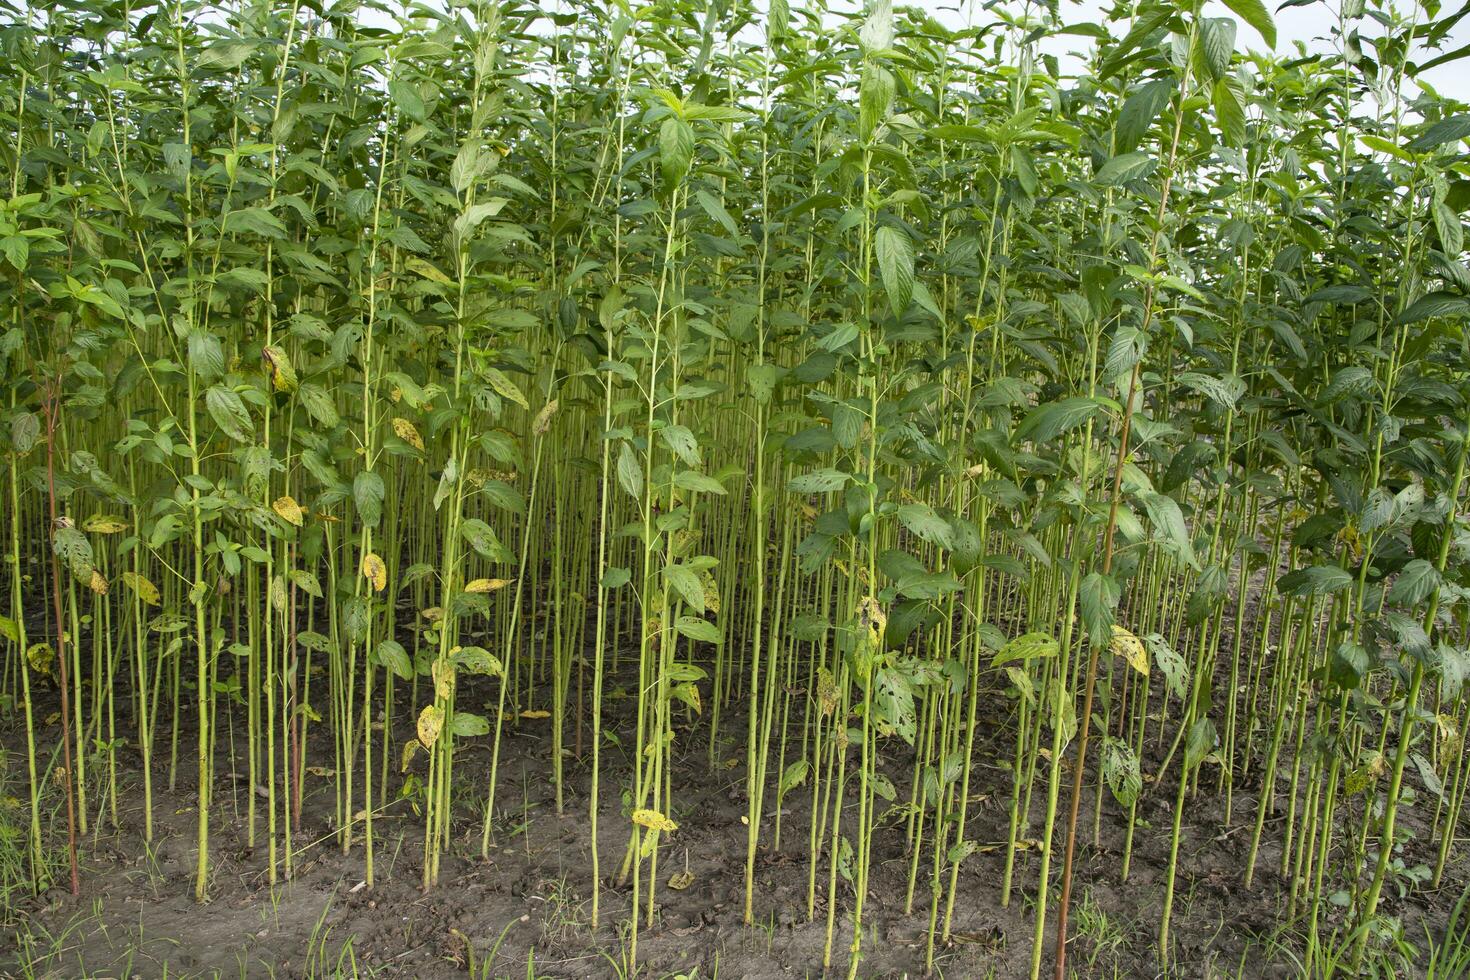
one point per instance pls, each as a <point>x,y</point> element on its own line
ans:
<point>526,913</point>
